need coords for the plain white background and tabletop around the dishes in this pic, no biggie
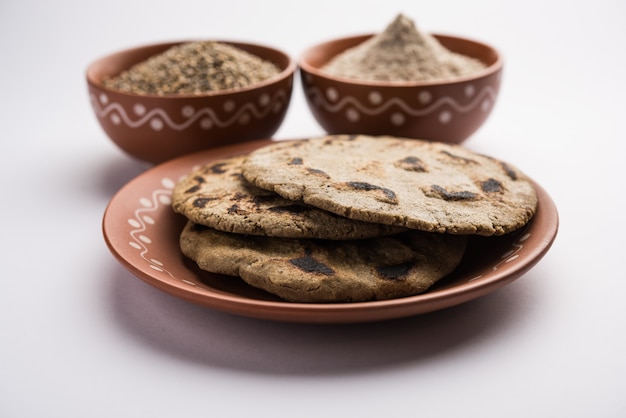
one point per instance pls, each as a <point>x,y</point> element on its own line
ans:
<point>82,337</point>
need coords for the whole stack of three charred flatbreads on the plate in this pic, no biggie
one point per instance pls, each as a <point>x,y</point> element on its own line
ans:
<point>347,218</point>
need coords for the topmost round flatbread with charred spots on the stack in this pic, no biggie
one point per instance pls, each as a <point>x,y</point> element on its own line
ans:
<point>423,185</point>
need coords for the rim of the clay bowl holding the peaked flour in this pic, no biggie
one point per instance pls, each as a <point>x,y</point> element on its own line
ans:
<point>305,66</point>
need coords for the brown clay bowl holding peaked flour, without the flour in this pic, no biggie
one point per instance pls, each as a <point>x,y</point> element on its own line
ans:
<point>446,111</point>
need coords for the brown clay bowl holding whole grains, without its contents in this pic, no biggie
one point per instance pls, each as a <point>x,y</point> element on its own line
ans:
<point>157,128</point>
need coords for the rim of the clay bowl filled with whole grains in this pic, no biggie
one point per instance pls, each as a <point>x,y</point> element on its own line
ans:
<point>285,73</point>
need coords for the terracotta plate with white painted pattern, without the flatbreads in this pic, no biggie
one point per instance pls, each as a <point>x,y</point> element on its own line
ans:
<point>142,232</point>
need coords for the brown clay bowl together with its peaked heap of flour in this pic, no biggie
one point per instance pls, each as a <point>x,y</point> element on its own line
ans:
<point>402,82</point>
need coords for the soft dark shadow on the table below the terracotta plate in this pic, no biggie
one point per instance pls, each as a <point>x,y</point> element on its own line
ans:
<point>200,335</point>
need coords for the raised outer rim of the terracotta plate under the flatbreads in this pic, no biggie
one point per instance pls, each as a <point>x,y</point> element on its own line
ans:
<point>350,312</point>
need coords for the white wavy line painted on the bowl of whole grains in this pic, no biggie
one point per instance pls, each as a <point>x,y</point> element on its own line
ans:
<point>103,112</point>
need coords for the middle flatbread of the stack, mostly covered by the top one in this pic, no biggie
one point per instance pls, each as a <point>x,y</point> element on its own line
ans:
<point>216,195</point>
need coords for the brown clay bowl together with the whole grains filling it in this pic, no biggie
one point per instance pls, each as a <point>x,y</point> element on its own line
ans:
<point>161,101</point>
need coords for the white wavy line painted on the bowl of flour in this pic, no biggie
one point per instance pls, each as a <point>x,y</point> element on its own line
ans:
<point>317,97</point>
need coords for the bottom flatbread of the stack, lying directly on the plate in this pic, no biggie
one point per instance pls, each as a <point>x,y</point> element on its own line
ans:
<point>300,270</point>
